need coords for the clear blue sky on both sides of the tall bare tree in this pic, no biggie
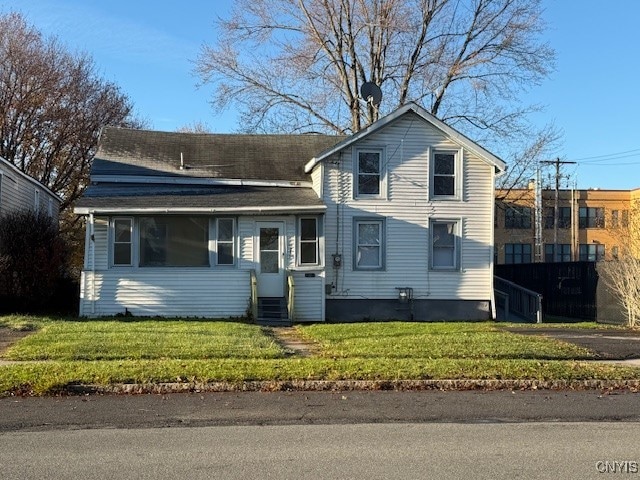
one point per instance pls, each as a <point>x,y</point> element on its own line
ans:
<point>147,47</point>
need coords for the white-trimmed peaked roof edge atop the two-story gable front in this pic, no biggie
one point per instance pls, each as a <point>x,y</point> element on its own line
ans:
<point>452,133</point>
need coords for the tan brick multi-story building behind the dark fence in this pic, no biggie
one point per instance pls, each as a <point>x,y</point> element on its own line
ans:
<point>592,224</point>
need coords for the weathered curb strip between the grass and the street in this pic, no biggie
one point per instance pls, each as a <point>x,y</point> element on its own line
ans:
<point>353,385</point>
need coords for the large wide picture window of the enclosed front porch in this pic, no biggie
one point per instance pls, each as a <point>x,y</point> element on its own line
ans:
<point>174,241</point>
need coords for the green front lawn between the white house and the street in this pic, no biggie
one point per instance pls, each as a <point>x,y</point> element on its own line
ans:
<point>65,352</point>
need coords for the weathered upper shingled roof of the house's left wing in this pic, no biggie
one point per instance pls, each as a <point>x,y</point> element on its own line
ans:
<point>129,152</point>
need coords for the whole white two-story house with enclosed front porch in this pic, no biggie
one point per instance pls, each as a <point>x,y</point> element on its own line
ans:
<point>395,221</point>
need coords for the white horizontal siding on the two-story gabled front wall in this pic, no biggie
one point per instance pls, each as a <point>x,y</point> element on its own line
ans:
<point>408,210</point>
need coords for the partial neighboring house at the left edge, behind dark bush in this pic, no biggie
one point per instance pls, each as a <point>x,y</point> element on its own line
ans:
<point>18,191</point>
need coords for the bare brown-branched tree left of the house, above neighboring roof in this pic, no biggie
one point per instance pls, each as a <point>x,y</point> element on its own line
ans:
<point>52,107</point>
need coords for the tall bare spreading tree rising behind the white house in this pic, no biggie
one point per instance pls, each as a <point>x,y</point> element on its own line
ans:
<point>298,65</point>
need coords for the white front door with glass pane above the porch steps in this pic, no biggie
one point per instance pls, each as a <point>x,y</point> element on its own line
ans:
<point>270,249</point>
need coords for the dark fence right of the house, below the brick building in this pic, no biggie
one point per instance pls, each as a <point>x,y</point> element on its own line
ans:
<point>568,289</point>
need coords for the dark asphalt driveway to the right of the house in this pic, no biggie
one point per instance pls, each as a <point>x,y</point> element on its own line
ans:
<point>607,344</point>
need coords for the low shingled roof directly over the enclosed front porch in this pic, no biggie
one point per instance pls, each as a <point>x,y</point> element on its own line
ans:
<point>145,196</point>
